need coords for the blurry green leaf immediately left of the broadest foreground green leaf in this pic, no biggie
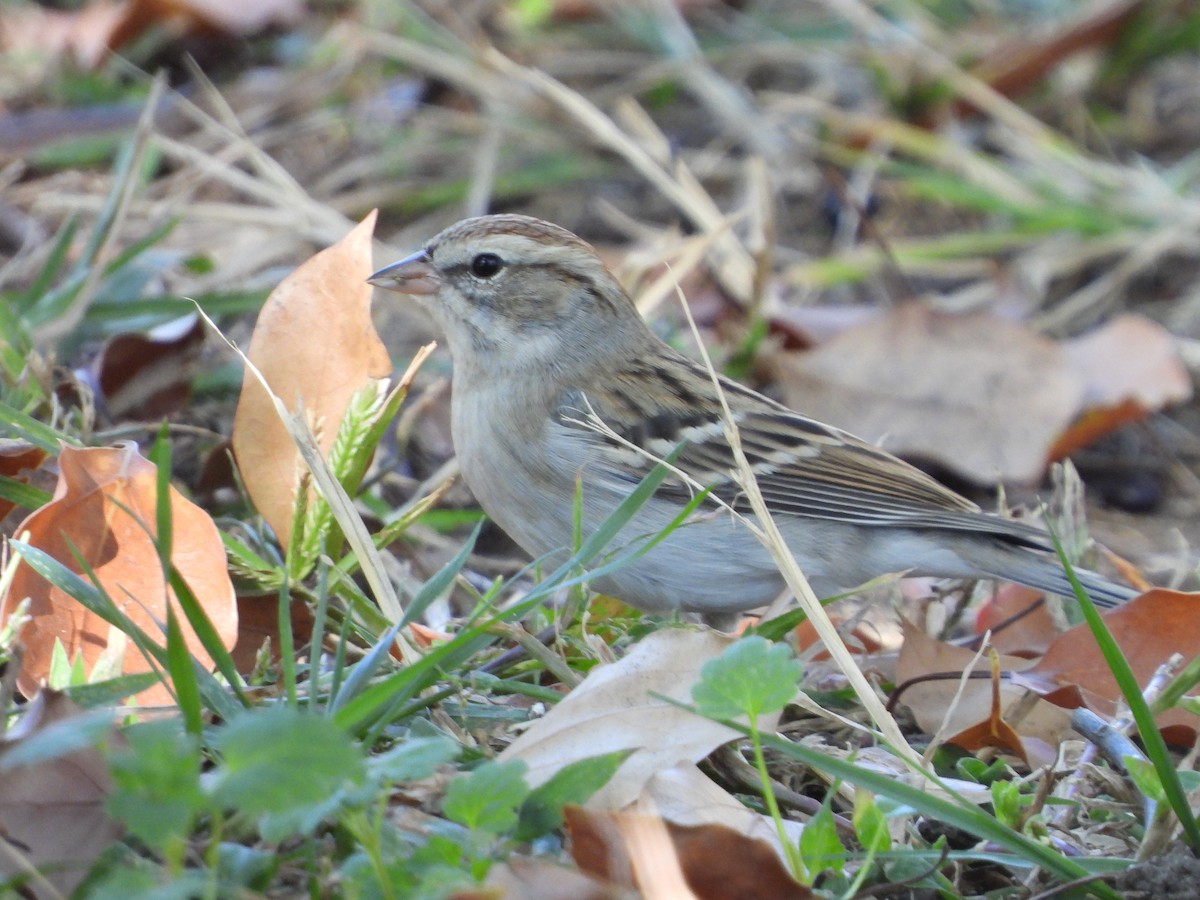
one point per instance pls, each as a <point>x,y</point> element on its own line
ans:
<point>158,779</point>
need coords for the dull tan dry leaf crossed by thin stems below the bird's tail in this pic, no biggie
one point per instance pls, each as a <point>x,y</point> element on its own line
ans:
<point>1041,730</point>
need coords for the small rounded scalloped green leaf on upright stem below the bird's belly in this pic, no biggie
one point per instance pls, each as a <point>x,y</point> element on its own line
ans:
<point>751,679</point>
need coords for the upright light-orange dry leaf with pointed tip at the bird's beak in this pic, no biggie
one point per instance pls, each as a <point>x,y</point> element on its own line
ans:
<point>316,346</point>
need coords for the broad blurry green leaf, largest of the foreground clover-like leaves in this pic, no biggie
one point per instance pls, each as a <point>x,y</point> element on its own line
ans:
<point>283,760</point>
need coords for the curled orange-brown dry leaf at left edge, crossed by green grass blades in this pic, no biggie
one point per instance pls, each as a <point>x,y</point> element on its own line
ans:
<point>104,508</point>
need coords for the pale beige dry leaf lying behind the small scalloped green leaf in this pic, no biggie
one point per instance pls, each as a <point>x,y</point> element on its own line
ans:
<point>613,710</point>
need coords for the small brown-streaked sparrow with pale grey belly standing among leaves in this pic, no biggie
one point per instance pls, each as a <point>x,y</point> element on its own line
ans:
<point>557,381</point>
